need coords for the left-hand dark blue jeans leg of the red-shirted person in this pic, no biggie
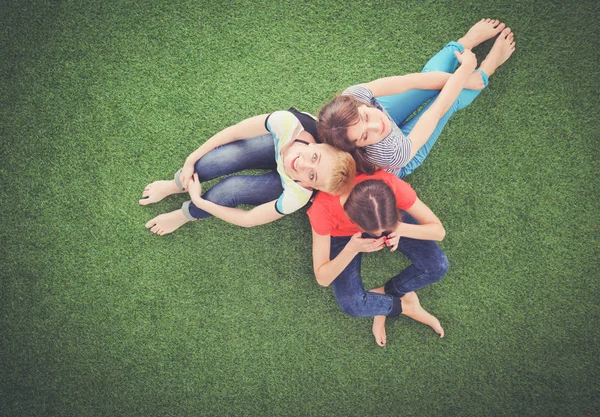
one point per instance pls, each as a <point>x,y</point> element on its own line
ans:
<point>350,292</point>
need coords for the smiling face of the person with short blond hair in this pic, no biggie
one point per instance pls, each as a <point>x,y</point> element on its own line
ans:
<point>309,165</point>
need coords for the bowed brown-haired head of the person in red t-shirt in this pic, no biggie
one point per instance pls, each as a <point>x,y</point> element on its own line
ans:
<point>372,206</point>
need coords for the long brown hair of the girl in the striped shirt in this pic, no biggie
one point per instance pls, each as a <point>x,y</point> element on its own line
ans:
<point>335,118</point>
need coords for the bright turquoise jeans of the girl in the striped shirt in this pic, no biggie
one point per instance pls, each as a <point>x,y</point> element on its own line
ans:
<point>400,106</point>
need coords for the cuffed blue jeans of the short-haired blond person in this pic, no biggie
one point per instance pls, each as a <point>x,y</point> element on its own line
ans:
<point>254,190</point>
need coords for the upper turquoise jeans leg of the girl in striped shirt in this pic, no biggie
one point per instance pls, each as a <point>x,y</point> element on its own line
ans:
<point>400,106</point>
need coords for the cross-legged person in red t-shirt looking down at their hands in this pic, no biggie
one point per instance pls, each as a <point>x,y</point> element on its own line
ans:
<point>373,207</point>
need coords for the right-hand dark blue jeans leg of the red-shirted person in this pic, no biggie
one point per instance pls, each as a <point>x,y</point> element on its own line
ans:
<point>429,264</point>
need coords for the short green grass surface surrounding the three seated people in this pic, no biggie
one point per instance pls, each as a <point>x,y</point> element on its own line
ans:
<point>99,317</point>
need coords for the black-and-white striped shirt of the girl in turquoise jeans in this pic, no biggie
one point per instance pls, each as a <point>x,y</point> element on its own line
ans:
<point>393,151</point>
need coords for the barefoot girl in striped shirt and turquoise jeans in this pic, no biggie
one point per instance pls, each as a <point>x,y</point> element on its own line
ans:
<point>370,120</point>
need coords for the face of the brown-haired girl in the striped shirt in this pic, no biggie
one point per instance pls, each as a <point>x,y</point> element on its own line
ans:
<point>372,126</point>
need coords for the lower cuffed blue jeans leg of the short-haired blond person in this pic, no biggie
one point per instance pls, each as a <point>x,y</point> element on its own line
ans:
<point>252,190</point>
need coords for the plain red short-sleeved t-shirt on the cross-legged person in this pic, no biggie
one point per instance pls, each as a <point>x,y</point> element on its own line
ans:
<point>327,215</point>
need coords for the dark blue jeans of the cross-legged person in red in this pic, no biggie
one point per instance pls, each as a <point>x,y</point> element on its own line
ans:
<point>429,265</point>
